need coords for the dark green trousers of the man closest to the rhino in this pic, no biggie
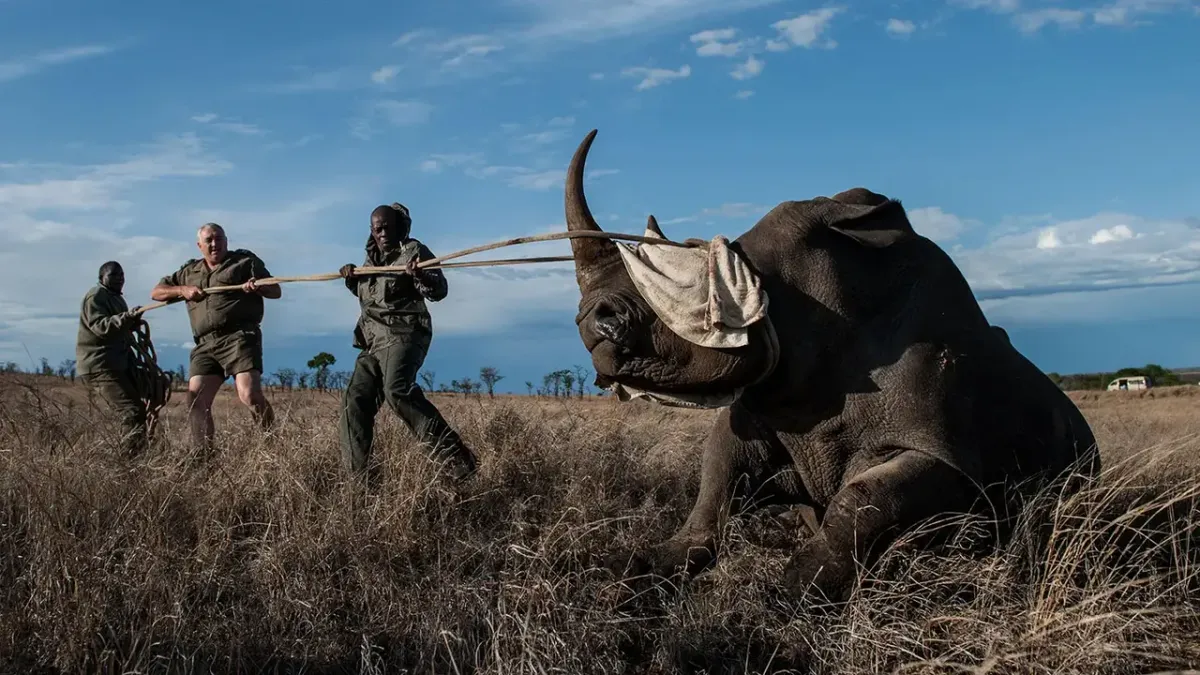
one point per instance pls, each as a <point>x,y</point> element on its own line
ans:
<point>389,374</point>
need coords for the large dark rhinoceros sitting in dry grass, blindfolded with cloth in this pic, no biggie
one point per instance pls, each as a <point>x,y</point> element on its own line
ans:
<point>874,396</point>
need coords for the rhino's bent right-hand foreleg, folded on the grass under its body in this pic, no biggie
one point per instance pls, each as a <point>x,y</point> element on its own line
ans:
<point>867,516</point>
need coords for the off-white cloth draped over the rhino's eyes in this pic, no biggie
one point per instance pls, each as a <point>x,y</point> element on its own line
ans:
<point>706,295</point>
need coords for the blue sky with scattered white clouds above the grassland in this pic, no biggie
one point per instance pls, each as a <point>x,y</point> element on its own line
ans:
<point>1049,147</point>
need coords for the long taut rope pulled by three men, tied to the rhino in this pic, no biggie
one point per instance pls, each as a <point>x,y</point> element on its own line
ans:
<point>440,262</point>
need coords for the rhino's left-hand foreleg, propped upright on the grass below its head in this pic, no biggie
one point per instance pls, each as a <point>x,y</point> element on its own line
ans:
<point>741,471</point>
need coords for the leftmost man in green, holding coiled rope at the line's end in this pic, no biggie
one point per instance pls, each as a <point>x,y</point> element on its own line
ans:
<point>105,353</point>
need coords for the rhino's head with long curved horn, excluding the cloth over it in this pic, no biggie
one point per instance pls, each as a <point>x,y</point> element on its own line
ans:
<point>633,351</point>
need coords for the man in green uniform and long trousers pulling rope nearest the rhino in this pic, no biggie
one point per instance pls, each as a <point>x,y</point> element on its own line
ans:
<point>393,334</point>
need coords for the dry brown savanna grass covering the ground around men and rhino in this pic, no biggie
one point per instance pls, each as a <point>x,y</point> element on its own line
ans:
<point>261,557</point>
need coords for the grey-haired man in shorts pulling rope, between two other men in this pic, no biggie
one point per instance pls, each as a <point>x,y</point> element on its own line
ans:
<point>226,327</point>
